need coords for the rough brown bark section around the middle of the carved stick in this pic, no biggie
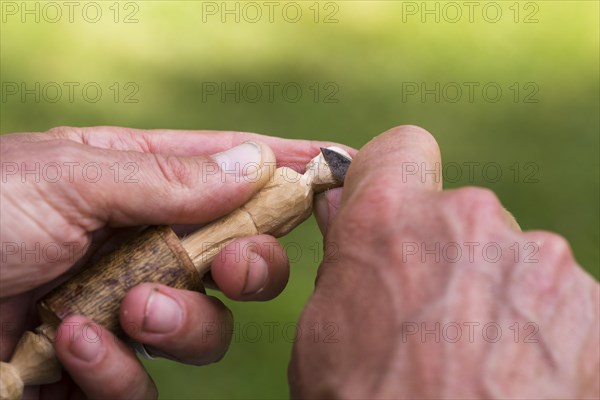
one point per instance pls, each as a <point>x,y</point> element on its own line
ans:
<point>154,256</point>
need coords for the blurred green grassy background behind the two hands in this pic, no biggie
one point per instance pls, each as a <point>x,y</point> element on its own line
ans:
<point>361,67</point>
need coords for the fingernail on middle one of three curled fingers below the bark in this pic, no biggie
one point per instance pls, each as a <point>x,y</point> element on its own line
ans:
<point>163,314</point>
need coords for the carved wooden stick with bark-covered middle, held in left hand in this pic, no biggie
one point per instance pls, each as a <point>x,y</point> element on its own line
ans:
<point>159,256</point>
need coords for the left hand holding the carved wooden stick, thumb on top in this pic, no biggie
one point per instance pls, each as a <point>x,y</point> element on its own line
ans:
<point>73,194</point>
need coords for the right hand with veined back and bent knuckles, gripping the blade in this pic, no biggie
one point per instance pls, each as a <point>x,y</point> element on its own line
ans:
<point>423,303</point>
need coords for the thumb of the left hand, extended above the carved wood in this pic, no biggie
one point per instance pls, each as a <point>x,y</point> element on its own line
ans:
<point>146,188</point>
